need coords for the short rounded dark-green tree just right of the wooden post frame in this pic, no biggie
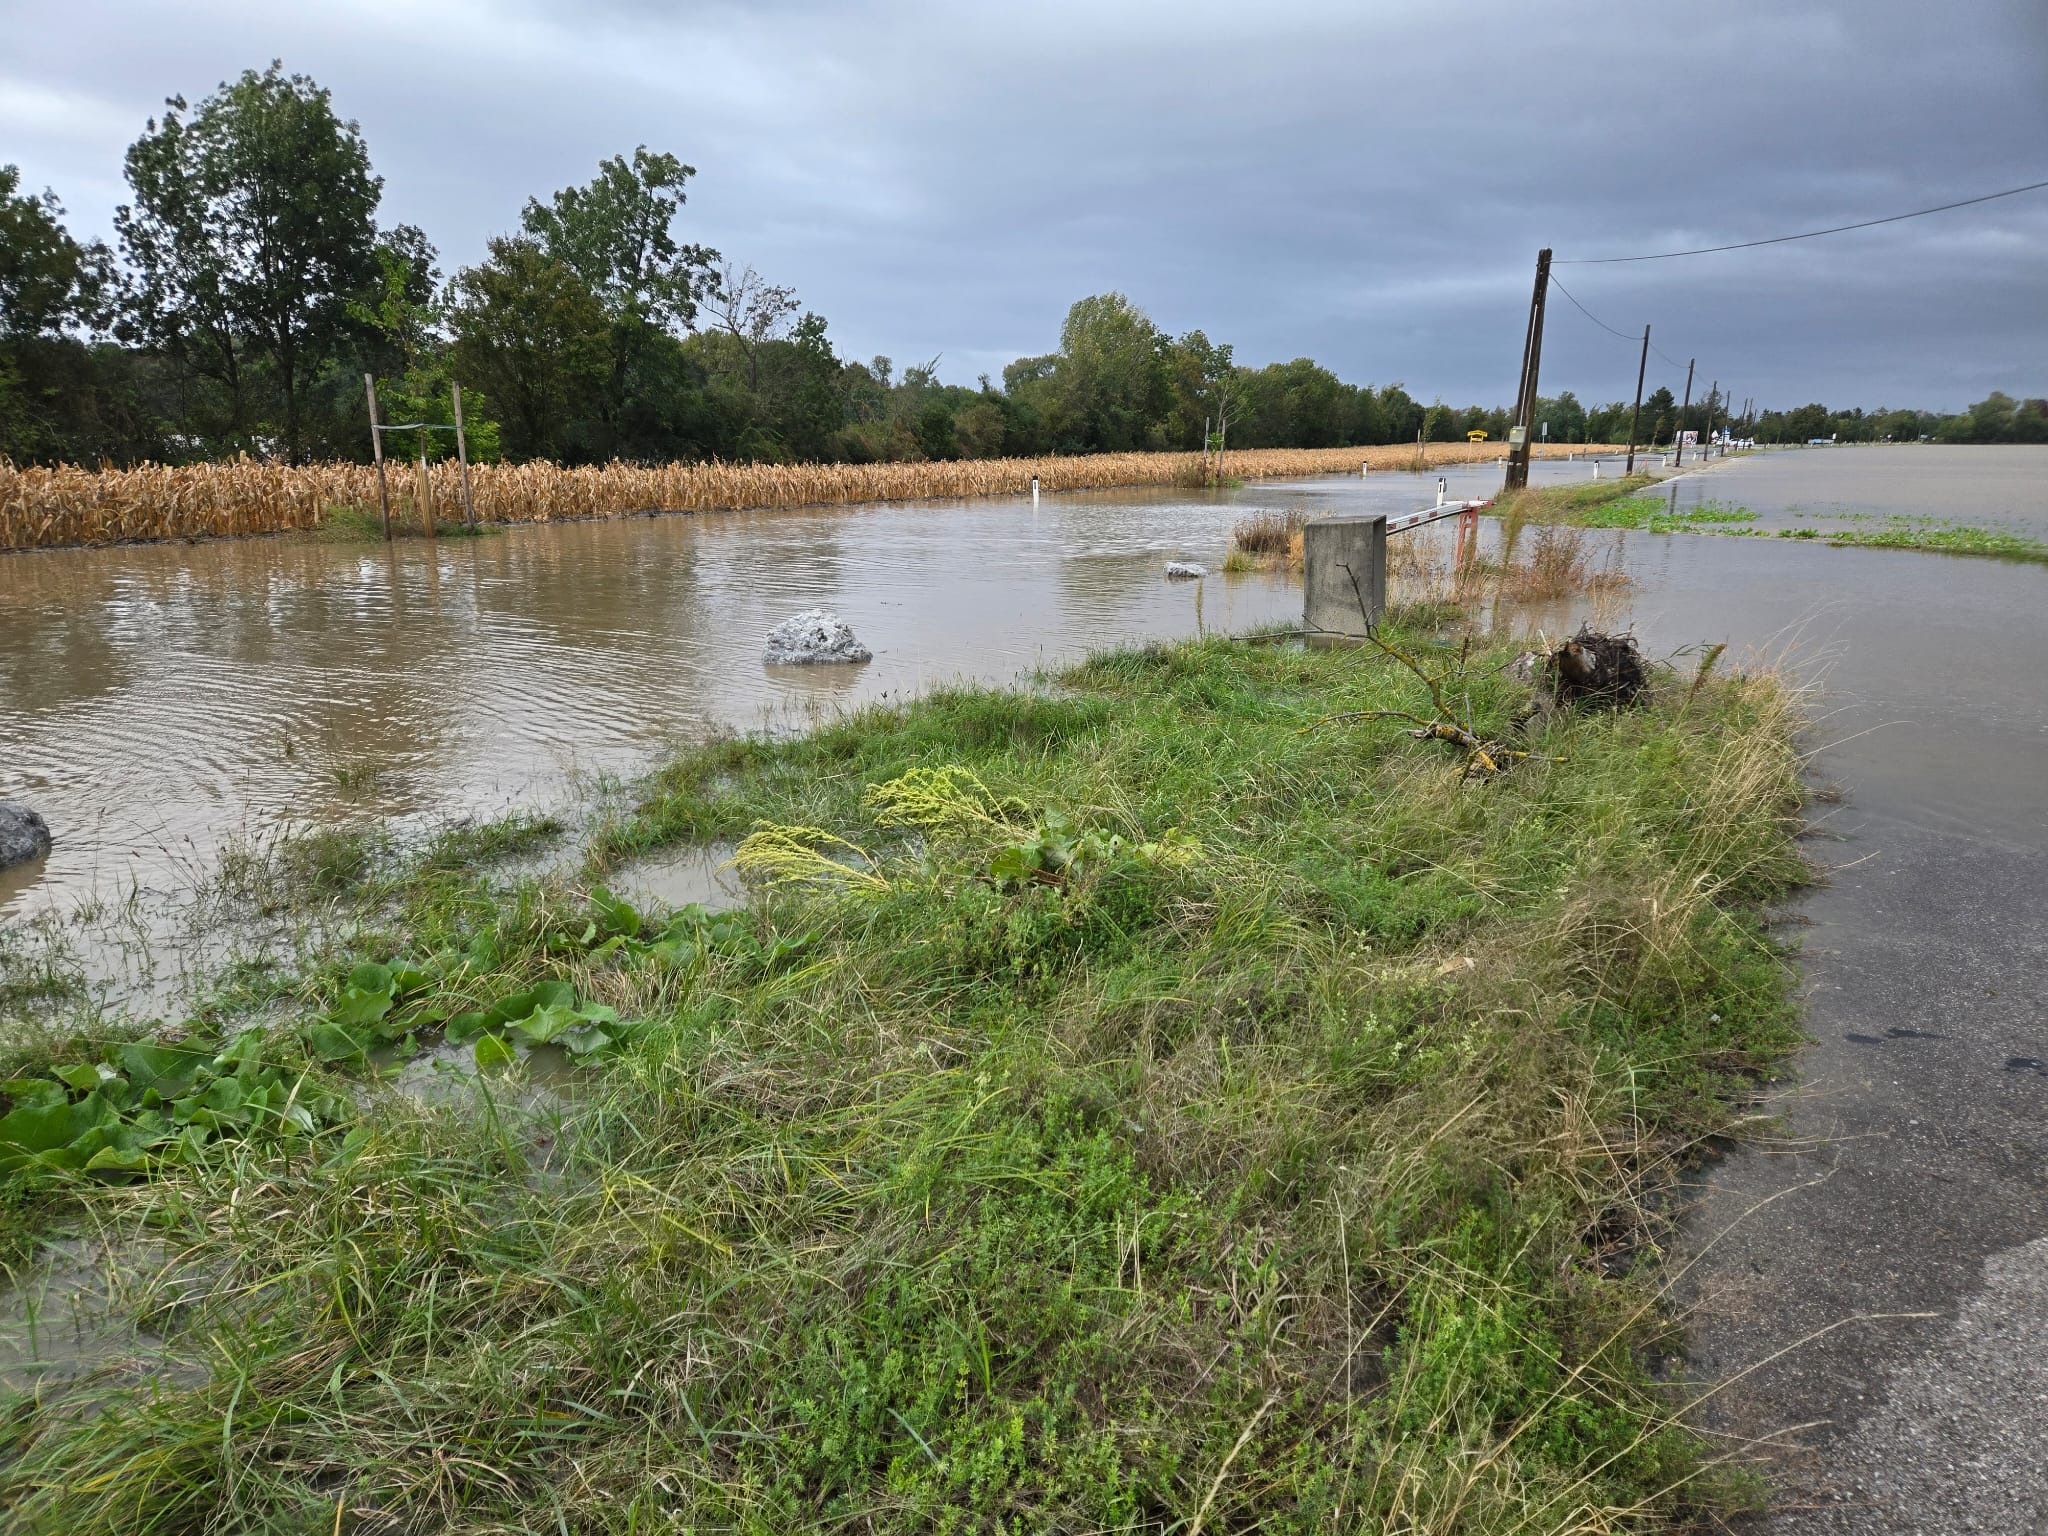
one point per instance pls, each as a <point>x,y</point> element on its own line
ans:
<point>536,339</point>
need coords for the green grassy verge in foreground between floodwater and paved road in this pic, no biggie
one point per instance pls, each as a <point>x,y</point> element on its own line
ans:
<point>1191,1117</point>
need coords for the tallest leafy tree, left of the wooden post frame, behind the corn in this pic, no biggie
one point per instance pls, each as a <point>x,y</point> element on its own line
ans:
<point>253,226</point>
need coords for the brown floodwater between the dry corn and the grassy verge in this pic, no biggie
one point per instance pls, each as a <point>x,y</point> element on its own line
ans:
<point>161,701</point>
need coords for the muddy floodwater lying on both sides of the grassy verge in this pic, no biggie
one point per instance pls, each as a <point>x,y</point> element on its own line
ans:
<point>161,701</point>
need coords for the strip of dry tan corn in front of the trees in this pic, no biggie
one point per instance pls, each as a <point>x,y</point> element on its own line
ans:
<point>44,509</point>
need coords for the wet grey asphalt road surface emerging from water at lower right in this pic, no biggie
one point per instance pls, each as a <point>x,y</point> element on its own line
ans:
<point>1875,1285</point>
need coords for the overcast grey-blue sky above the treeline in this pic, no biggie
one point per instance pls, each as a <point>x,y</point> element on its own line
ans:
<point>1359,183</point>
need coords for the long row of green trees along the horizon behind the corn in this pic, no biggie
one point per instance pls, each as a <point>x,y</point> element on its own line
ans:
<point>251,288</point>
